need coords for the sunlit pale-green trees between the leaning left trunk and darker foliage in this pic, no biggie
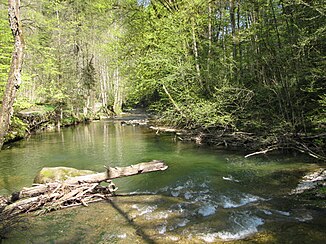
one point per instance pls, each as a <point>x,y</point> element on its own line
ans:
<point>71,58</point>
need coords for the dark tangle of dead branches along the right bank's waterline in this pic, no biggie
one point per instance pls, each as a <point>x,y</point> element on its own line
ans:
<point>260,145</point>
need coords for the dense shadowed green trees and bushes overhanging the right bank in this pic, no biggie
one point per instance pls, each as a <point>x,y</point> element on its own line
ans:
<point>247,65</point>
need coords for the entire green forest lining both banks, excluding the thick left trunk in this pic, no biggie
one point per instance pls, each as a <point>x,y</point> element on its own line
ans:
<point>253,68</point>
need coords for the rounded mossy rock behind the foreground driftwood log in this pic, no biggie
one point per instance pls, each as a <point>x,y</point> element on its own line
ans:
<point>52,174</point>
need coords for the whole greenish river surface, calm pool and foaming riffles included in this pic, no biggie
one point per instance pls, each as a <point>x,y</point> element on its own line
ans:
<point>205,196</point>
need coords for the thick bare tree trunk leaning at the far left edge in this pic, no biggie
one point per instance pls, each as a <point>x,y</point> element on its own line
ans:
<point>14,78</point>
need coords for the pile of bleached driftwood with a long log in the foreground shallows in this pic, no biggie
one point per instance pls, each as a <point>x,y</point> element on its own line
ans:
<point>74,191</point>
